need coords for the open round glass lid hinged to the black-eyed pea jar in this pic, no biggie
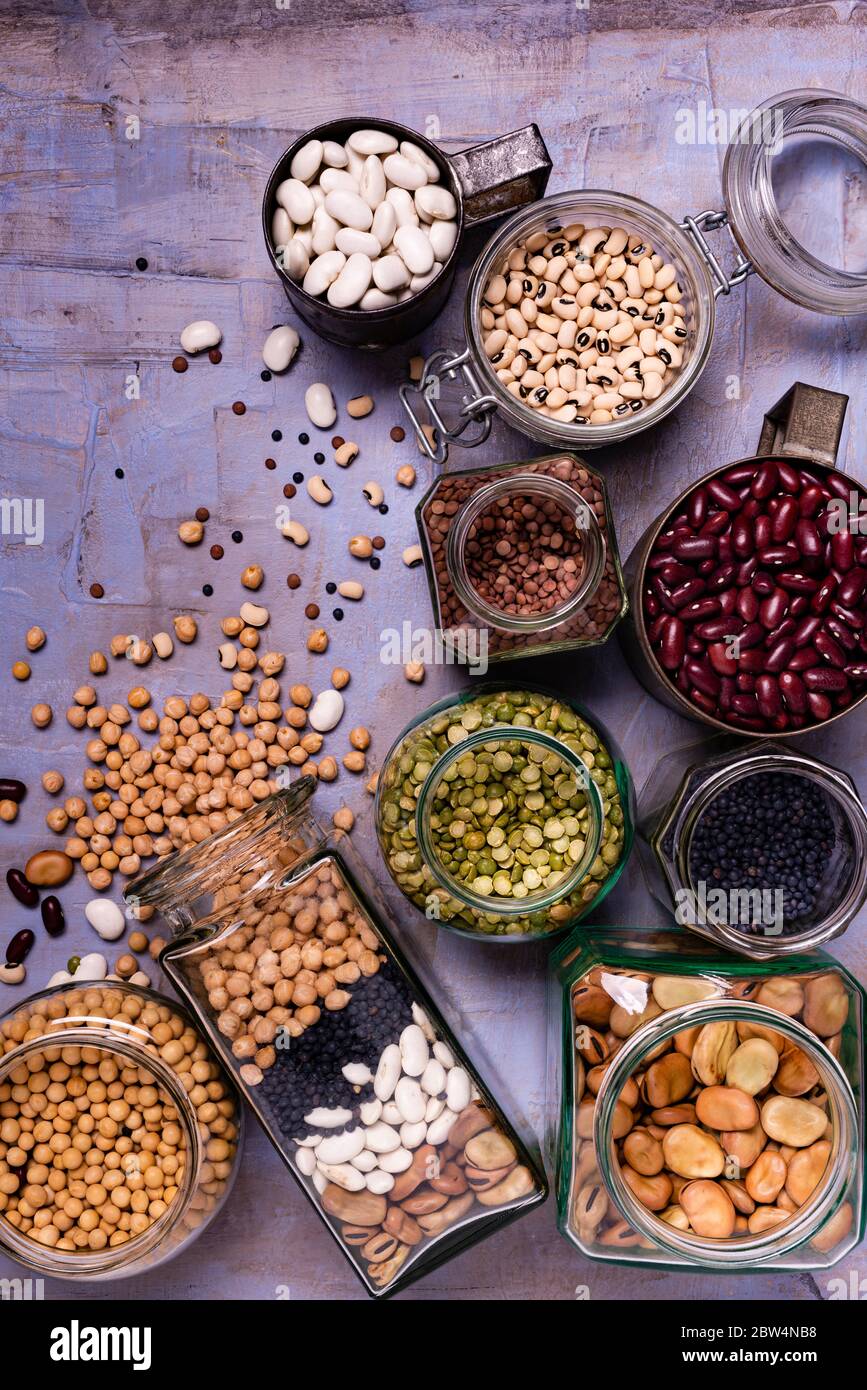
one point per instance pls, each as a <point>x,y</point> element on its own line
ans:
<point>752,204</point>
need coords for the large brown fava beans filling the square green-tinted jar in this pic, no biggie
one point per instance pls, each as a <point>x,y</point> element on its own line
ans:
<point>725,1131</point>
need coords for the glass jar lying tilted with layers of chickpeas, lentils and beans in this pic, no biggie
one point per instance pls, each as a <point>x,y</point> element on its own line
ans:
<point>292,970</point>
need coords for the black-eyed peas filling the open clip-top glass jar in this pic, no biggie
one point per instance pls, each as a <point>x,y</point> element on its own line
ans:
<point>584,325</point>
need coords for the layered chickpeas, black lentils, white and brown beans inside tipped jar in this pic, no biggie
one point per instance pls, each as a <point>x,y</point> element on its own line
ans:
<point>372,1103</point>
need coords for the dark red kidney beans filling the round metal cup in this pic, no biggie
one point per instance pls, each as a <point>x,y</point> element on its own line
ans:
<point>755,598</point>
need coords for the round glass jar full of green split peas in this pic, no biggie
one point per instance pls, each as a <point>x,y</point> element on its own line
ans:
<point>505,812</point>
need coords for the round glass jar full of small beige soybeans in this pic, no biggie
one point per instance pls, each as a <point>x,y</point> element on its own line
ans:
<point>120,1131</point>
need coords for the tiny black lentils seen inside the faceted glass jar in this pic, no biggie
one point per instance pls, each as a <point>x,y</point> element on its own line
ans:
<point>770,832</point>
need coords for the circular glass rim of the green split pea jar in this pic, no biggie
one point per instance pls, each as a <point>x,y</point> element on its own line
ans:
<point>534,901</point>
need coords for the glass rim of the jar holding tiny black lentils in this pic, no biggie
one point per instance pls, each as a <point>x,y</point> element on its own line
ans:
<point>743,767</point>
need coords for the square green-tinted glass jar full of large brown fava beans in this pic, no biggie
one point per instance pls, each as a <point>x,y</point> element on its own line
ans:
<point>711,1110</point>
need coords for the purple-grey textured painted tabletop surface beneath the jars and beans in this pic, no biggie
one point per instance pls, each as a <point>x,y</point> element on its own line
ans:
<point>219,92</point>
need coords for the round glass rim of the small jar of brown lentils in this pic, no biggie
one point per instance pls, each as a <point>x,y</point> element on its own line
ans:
<point>474,508</point>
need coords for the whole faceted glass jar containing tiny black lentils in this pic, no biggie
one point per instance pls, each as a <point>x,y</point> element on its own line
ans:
<point>759,850</point>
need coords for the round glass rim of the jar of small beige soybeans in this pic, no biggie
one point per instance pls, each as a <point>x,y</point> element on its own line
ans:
<point>63,1264</point>
